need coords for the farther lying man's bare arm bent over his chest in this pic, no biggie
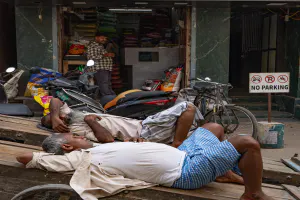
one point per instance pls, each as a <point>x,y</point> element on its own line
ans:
<point>102,135</point>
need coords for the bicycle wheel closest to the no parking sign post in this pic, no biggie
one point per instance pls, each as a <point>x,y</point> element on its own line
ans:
<point>239,121</point>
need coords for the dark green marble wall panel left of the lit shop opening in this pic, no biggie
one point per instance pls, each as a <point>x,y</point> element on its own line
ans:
<point>34,37</point>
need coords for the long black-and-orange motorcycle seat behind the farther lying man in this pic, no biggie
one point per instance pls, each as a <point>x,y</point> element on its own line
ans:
<point>134,95</point>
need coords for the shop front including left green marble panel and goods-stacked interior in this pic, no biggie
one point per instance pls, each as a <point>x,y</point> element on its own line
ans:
<point>146,37</point>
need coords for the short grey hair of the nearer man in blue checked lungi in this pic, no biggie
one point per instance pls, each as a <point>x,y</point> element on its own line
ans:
<point>53,144</point>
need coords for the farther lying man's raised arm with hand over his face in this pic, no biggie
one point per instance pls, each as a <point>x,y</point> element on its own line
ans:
<point>57,124</point>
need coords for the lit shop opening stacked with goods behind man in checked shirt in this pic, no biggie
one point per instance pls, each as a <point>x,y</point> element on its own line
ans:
<point>146,39</point>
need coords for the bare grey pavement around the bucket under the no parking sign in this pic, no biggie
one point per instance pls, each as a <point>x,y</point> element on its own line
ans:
<point>291,139</point>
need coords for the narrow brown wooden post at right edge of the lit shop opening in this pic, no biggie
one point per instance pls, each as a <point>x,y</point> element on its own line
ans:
<point>188,47</point>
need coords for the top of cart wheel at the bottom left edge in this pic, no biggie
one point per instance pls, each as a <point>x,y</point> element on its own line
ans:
<point>48,192</point>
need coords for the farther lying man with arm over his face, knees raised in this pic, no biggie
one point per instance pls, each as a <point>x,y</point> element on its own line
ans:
<point>171,126</point>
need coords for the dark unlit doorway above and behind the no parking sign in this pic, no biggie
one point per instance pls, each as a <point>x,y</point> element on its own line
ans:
<point>256,45</point>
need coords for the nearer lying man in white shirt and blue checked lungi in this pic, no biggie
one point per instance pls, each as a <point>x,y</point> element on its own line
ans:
<point>113,167</point>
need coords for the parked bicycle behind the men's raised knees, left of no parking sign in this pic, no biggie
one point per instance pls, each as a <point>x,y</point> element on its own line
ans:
<point>215,107</point>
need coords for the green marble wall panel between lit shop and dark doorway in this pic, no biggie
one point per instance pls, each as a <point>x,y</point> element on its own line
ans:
<point>212,43</point>
